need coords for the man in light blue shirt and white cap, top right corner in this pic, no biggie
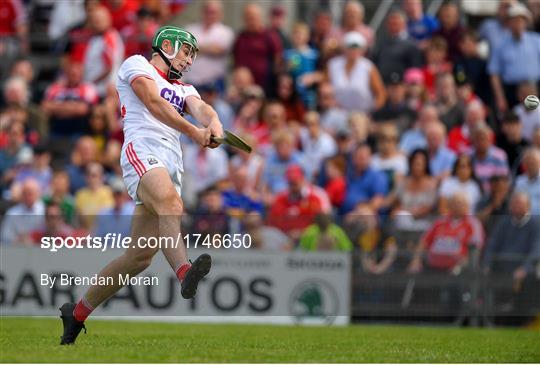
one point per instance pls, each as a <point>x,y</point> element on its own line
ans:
<point>515,60</point>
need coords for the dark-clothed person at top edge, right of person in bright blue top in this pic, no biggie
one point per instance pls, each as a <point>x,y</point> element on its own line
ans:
<point>451,29</point>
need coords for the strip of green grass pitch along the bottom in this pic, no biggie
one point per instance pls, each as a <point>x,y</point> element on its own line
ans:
<point>36,340</point>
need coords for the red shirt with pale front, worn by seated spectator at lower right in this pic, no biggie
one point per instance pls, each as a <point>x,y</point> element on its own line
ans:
<point>448,240</point>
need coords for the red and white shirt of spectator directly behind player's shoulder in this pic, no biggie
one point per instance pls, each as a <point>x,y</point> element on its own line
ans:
<point>103,51</point>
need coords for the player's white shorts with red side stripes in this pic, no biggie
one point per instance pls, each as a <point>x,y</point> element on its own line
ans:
<point>145,154</point>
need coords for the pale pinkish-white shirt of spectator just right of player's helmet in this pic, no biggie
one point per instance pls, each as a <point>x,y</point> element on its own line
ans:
<point>208,69</point>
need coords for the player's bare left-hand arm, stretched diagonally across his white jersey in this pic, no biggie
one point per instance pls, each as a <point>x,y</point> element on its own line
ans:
<point>147,91</point>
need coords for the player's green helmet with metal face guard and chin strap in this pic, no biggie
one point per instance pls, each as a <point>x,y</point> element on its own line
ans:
<point>179,38</point>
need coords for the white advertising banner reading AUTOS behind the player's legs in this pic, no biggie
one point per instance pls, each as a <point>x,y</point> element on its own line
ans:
<point>244,285</point>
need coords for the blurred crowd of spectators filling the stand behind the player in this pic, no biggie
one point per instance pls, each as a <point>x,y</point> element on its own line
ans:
<point>410,138</point>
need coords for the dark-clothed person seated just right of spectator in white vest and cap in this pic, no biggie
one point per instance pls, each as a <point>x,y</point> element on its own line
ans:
<point>396,107</point>
